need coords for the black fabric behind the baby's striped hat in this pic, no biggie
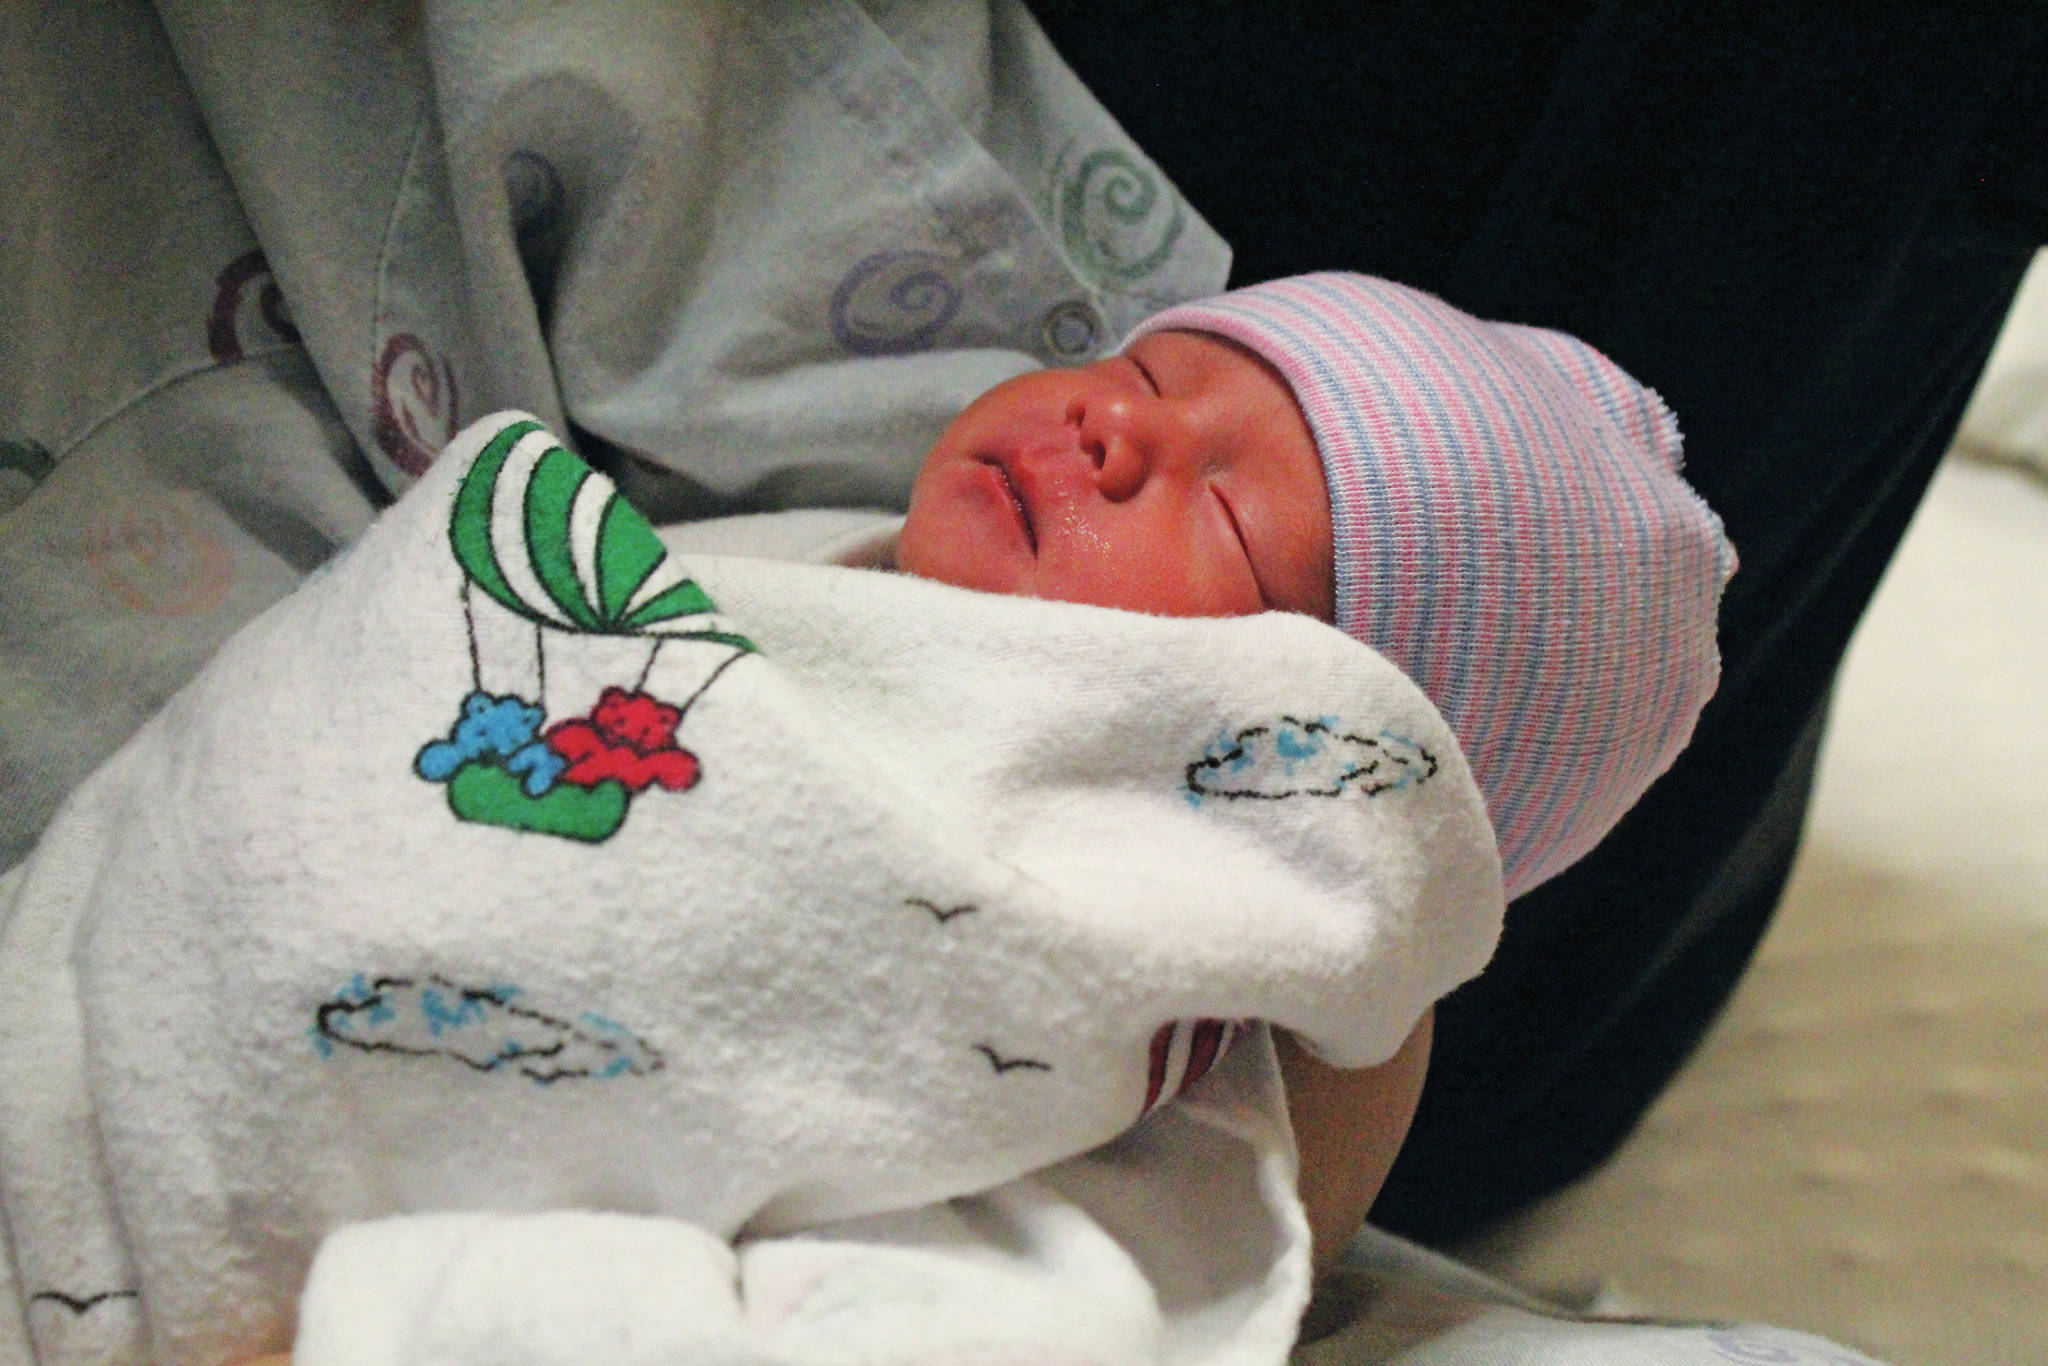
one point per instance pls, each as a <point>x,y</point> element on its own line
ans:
<point>1803,226</point>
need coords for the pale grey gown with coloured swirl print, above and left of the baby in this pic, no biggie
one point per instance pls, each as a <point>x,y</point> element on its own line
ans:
<point>263,261</point>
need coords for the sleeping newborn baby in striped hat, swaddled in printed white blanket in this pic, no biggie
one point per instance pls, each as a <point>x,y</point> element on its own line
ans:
<point>939,894</point>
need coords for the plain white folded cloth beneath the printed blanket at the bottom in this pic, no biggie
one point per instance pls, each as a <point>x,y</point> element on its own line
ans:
<point>1107,1258</point>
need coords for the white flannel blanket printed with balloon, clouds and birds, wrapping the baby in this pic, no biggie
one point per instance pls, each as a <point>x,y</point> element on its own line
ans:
<point>513,869</point>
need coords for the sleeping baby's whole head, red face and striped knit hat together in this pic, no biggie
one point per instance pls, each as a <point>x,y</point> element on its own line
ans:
<point>1496,509</point>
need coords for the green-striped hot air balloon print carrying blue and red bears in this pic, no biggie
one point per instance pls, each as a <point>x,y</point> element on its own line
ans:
<point>546,538</point>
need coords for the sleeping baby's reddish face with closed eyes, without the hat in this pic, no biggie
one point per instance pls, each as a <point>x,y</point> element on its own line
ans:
<point>1179,478</point>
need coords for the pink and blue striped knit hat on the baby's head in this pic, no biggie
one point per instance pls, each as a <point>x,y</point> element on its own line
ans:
<point>1512,531</point>
